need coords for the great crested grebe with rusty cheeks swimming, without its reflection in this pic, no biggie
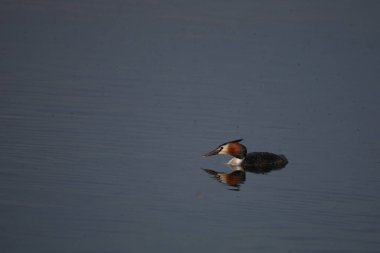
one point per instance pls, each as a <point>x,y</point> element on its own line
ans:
<point>254,160</point>
